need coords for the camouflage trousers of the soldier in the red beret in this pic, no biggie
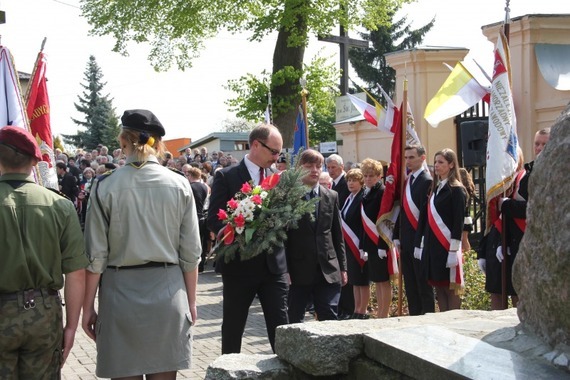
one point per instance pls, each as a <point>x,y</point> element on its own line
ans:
<point>31,338</point>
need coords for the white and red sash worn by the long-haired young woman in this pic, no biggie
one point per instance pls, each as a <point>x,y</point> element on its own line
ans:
<point>443,235</point>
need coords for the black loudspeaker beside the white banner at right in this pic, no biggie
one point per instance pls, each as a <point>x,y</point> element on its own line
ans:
<point>474,136</point>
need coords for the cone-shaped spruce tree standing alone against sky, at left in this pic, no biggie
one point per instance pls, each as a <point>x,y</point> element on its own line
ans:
<point>101,123</point>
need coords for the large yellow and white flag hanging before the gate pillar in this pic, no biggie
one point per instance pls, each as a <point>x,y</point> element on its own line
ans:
<point>459,92</point>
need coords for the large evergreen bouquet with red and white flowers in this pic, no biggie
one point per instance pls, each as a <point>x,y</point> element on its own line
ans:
<point>258,217</point>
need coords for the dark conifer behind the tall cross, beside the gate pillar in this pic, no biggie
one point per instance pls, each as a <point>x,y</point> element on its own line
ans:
<point>370,64</point>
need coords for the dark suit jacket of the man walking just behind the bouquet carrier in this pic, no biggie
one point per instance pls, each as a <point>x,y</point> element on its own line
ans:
<point>317,244</point>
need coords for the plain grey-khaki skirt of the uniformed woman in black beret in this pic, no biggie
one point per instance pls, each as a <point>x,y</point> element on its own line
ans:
<point>144,322</point>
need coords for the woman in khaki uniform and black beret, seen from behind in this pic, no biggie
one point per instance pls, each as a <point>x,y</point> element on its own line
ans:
<point>143,242</point>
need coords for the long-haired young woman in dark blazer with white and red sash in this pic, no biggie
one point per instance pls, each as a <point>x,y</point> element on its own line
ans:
<point>442,224</point>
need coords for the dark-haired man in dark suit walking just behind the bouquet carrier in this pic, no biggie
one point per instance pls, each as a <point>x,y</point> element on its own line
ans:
<point>315,251</point>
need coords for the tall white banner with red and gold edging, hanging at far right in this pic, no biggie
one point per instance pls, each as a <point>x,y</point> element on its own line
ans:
<point>502,145</point>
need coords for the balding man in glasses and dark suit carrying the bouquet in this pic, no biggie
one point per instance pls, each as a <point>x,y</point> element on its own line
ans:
<point>263,275</point>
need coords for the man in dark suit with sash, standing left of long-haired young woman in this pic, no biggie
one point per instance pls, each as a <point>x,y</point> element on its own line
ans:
<point>418,292</point>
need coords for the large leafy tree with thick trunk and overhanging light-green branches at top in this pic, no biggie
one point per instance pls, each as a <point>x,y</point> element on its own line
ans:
<point>176,30</point>
